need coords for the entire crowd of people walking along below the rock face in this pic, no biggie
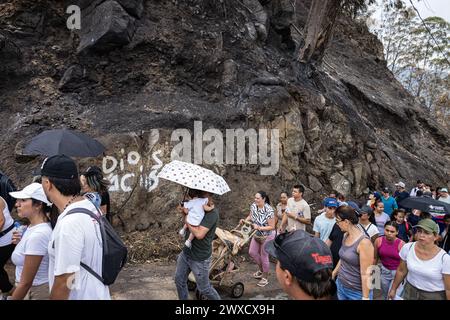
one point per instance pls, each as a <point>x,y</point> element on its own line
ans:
<point>345,252</point>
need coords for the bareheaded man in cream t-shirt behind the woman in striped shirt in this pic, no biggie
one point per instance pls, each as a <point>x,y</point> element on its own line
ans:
<point>299,214</point>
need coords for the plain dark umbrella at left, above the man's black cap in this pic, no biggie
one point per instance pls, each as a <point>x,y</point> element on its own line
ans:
<point>63,141</point>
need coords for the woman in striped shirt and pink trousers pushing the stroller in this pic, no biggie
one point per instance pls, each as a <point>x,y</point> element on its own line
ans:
<point>262,217</point>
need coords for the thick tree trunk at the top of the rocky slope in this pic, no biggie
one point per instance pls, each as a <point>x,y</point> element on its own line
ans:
<point>319,29</point>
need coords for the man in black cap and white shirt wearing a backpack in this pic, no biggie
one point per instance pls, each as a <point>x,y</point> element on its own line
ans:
<point>76,237</point>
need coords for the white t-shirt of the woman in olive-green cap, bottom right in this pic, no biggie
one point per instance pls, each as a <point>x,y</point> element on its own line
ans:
<point>425,275</point>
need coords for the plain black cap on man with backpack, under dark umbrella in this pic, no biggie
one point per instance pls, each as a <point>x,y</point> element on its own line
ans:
<point>59,166</point>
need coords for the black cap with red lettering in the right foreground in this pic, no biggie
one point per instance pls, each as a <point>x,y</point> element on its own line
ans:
<point>301,254</point>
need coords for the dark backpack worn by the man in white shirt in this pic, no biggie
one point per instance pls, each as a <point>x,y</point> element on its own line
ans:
<point>114,250</point>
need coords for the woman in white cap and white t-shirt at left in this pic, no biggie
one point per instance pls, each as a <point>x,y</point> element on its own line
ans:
<point>30,255</point>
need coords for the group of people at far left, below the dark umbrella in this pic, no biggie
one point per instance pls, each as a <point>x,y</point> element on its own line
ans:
<point>58,254</point>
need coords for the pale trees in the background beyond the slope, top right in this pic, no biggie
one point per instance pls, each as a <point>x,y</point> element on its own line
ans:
<point>417,53</point>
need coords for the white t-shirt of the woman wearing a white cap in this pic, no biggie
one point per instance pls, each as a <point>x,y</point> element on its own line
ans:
<point>33,243</point>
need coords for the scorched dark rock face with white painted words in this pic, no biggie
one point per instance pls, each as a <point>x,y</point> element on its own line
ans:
<point>156,67</point>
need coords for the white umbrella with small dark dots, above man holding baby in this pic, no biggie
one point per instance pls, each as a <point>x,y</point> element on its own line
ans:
<point>194,177</point>
